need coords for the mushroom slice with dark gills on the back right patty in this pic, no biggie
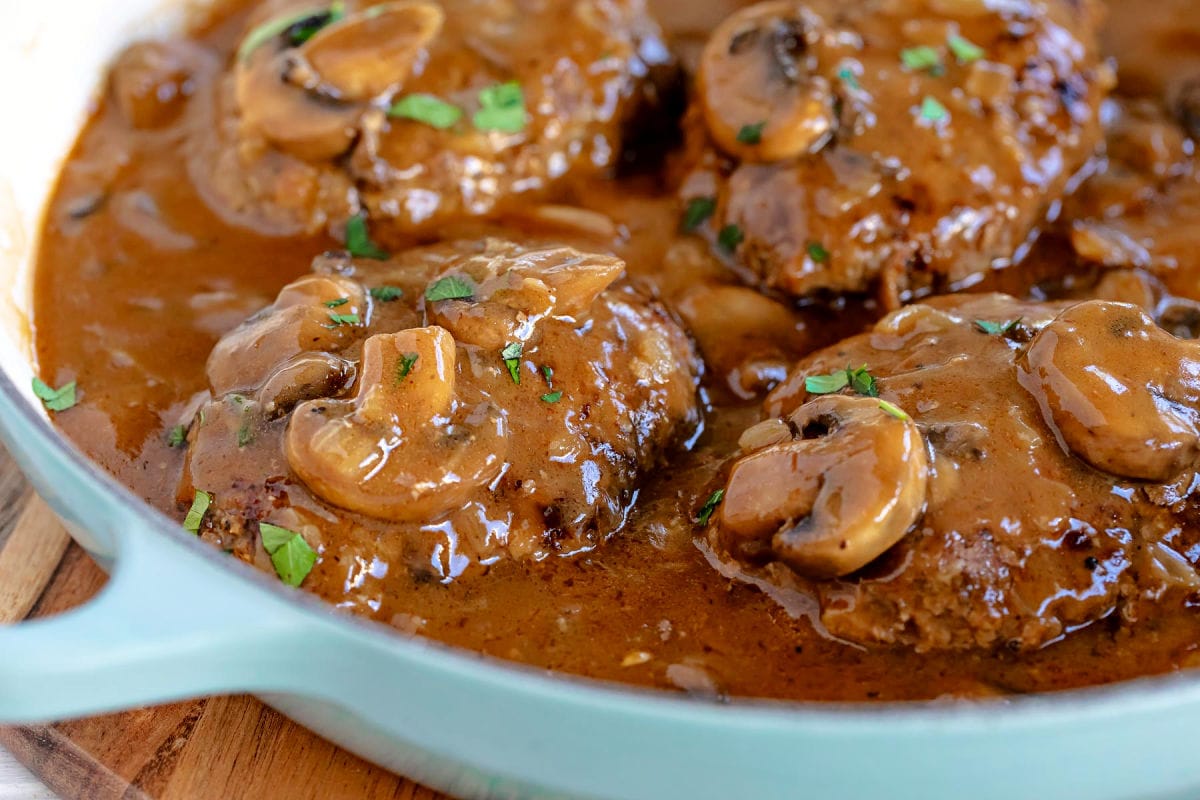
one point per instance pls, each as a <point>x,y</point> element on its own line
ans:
<point>761,94</point>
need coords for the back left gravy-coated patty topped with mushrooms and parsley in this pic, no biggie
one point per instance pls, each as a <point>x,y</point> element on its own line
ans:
<point>422,113</point>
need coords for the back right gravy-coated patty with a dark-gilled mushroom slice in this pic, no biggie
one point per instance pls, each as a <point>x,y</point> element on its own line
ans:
<point>908,145</point>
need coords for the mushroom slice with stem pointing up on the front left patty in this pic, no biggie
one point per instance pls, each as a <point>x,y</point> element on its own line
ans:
<point>405,448</point>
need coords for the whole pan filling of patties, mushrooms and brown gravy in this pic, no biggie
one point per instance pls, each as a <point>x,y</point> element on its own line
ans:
<point>573,333</point>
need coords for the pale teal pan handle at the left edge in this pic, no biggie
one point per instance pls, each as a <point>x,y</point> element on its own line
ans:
<point>169,625</point>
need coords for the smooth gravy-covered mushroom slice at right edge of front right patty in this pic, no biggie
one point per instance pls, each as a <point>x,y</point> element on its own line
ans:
<point>1124,394</point>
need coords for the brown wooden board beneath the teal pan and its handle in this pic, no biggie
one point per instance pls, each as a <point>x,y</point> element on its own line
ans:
<point>225,749</point>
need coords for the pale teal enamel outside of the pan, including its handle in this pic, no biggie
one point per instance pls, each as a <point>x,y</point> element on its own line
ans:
<point>181,619</point>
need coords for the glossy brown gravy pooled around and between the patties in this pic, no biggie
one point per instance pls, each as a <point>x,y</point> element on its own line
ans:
<point>140,279</point>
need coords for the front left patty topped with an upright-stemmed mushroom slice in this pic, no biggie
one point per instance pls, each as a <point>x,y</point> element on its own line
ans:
<point>483,400</point>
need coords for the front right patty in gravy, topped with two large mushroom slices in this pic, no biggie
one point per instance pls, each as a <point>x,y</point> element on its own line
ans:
<point>1000,473</point>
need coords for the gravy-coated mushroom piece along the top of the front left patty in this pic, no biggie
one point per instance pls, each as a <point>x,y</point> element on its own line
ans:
<point>515,288</point>
